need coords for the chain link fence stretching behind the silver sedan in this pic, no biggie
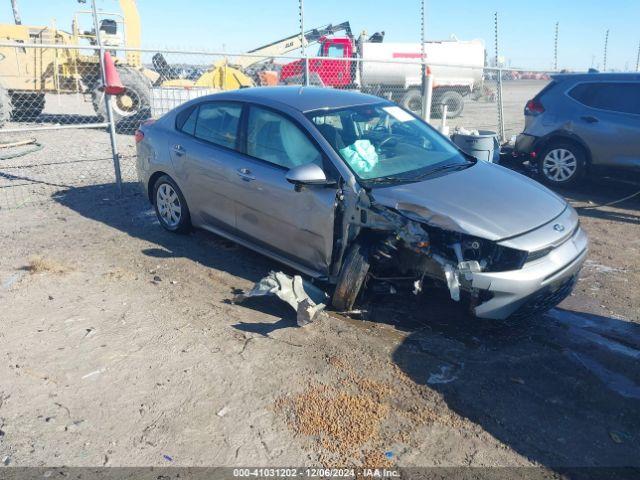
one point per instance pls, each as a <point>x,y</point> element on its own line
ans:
<point>54,131</point>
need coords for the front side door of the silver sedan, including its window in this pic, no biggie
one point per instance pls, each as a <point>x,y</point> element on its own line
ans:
<point>271,212</point>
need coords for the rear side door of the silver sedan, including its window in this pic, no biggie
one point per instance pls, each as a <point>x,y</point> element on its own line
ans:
<point>206,152</point>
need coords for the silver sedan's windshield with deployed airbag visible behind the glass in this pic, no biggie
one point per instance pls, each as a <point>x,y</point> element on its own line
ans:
<point>385,144</point>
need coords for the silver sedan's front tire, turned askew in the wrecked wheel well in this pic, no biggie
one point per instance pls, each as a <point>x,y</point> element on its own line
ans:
<point>352,276</point>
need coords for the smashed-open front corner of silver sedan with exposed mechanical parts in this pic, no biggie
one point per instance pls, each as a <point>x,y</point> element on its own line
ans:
<point>403,251</point>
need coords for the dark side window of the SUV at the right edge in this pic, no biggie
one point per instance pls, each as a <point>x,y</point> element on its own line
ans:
<point>623,97</point>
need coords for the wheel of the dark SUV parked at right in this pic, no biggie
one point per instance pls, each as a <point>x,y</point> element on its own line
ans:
<point>562,164</point>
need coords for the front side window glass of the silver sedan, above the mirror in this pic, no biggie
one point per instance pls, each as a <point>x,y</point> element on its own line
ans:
<point>275,139</point>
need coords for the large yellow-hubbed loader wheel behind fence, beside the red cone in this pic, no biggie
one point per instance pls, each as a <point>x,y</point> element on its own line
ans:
<point>129,108</point>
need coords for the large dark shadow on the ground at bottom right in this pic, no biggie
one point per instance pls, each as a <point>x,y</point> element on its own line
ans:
<point>563,390</point>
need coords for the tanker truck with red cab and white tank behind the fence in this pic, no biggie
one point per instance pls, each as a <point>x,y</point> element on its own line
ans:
<point>371,70</point>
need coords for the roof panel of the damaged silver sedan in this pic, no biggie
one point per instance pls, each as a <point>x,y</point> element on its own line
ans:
<point>304,99</point>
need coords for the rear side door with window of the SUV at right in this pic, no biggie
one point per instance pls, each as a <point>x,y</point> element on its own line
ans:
<point>609,122</point>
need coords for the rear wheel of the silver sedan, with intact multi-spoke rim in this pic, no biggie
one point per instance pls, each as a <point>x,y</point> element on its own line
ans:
<point>165,195</point>
